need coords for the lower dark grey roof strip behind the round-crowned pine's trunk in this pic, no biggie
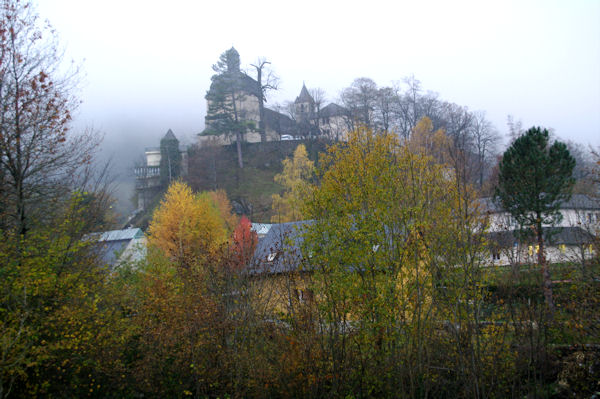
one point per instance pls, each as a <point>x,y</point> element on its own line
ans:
<point>552,235</point>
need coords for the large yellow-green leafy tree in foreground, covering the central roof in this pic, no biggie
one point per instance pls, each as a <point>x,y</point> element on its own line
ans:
<point>388,230</point>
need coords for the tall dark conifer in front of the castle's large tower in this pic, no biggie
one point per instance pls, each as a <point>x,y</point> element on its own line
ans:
<point>228,90</point>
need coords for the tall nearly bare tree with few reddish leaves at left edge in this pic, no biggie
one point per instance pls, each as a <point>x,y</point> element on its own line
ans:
<point>39,156</point>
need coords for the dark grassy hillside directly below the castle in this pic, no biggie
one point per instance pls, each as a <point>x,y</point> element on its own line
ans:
<point>249,189</point>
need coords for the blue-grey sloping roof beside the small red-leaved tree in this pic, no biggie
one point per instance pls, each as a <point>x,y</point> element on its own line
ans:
<point>280,250</point>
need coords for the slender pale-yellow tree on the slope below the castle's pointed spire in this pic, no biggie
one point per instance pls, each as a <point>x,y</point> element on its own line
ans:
<point>295,179</point>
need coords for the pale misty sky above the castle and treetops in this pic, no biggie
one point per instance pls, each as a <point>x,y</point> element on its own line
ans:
<point>148,63</point>
